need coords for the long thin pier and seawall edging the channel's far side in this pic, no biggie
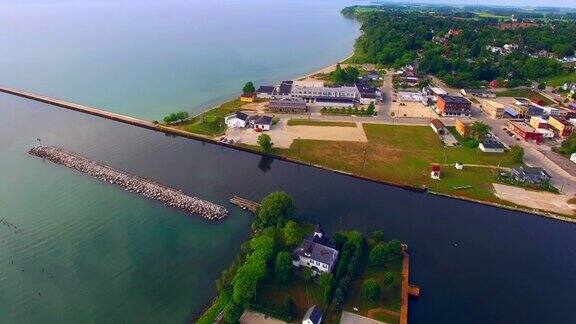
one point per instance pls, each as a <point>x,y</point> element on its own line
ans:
<point>176,132</point>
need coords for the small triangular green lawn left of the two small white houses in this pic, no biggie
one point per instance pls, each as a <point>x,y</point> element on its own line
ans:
<point>211,122</point>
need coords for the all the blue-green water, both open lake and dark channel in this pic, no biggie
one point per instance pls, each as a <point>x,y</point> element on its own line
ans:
<point>91,252</point>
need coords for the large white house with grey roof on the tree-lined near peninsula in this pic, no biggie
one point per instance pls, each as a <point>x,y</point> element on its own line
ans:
<point>315,253</point>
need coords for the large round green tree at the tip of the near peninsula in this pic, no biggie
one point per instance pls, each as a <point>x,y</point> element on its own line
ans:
<point>275,210</point>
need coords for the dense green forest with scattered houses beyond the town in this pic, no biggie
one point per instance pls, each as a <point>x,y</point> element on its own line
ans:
<point>463,49</point>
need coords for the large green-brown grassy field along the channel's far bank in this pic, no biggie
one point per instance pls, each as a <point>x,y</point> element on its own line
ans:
<point>403,155</point>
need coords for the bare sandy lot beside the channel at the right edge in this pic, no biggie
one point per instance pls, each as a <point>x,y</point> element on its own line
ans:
<point>535,199</point>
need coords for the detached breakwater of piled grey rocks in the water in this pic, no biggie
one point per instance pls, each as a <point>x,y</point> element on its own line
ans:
<point>147,188</point>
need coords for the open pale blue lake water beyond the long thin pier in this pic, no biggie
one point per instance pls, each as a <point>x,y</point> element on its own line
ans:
<point>149,58</point>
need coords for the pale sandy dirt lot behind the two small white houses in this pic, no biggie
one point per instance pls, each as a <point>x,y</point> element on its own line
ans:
<point>283,135</point>
